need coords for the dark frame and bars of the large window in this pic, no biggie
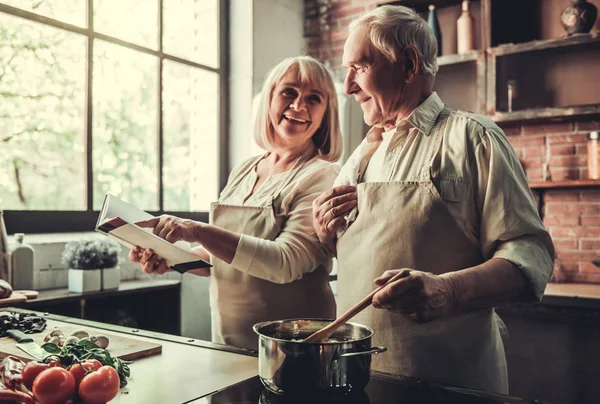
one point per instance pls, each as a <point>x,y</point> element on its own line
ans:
<point>51,221</point>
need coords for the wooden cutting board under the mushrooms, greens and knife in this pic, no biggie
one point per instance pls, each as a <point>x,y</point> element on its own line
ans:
<point>119,346</point>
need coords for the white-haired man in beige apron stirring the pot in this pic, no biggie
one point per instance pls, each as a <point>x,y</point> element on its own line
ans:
<point>439,195</point>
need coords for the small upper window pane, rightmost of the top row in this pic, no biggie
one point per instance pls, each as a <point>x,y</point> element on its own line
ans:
<point>191,30</point>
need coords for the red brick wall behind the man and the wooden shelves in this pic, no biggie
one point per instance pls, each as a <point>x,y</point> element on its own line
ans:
<point>572,216</point>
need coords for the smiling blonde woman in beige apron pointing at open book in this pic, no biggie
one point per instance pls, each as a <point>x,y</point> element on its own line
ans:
<point>267,261</point>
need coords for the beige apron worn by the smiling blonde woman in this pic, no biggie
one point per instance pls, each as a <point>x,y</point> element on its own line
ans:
<point>238,300</point>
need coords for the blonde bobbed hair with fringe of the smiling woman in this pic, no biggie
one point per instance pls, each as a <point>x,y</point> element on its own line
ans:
<point>327,139</point>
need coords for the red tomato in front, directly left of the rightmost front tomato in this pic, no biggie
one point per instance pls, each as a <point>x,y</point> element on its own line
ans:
<point>54,386</point>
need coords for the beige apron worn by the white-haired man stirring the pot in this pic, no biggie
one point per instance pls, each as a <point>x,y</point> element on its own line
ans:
<point>404,224</point>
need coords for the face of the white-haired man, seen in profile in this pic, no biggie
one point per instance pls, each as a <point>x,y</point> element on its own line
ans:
<point>375,82</point>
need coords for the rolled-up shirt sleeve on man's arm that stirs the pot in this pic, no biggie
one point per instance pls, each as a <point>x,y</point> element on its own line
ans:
<point>511,227</point>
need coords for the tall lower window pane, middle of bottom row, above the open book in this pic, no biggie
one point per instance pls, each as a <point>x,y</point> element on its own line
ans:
<point>125,157</point>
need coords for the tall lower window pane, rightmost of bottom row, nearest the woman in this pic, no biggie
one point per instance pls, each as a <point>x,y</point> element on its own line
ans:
<point>191,137</point>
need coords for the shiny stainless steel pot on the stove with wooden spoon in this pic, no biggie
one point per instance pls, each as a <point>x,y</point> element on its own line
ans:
<point>338,366</point>
